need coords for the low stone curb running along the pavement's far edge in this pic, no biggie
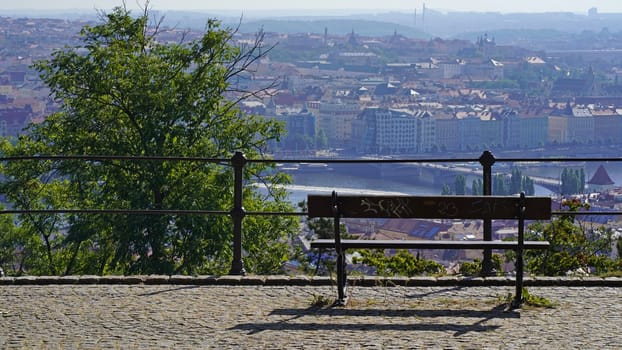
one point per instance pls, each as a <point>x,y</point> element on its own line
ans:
<point>279,280</point>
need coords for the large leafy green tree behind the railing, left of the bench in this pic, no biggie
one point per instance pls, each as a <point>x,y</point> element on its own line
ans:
<point>127,92</point>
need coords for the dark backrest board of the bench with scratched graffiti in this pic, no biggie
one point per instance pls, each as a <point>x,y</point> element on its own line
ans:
<point>430,207</point>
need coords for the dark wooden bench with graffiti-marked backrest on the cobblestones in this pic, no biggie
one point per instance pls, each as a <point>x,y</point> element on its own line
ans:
<point>518,208</point>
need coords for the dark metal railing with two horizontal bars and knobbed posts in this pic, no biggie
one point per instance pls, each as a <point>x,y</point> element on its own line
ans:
<point>237,212</point>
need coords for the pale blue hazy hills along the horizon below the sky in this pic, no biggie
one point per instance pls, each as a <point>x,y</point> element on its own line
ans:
<point>536,29</point>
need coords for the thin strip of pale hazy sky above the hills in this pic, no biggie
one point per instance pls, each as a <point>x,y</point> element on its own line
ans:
<point>577,6</point>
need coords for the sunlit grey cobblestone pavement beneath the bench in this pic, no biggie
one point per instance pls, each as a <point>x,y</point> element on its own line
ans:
<point>141,316</point>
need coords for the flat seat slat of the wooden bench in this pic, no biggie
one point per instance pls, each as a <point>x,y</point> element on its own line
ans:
<point>426,244</point>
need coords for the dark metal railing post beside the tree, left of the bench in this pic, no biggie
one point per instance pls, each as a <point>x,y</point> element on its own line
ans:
<point>237,213</point>
